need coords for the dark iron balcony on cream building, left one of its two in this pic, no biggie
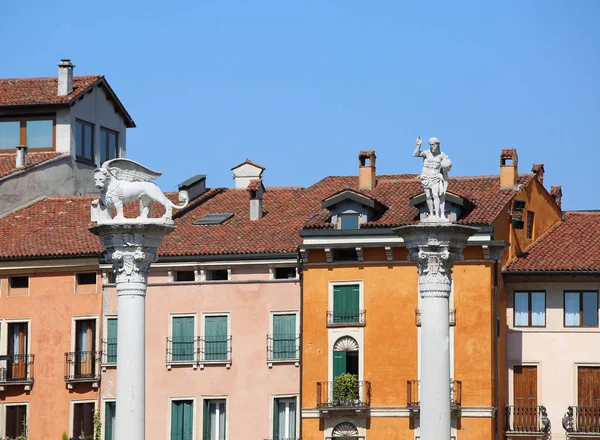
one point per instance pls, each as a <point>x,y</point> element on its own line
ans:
<point>526,421</point>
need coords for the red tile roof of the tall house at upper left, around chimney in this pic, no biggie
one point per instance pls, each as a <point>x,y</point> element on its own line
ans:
<point>32,91</point>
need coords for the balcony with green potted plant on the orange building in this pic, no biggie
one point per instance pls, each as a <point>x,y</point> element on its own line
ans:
<point>343,395</point>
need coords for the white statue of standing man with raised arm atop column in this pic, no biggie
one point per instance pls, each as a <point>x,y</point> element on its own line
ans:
<point>434,177</point>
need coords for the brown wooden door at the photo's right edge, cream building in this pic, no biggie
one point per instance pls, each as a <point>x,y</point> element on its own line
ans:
<point>588,399</point>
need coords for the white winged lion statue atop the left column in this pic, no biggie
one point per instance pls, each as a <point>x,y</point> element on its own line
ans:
<point>122,181</point>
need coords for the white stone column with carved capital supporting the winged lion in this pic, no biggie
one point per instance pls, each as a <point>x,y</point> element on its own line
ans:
<point>131,246</point>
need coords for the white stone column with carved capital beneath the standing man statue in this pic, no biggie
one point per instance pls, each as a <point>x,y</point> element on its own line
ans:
<point>435,247</point>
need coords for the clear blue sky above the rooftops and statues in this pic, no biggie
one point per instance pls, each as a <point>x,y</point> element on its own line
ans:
<point>301,87</point>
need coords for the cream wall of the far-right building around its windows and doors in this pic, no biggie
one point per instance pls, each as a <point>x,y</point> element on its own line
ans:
<point>556,350</point>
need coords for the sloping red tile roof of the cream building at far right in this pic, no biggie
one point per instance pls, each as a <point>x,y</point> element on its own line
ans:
<point>572,245</point>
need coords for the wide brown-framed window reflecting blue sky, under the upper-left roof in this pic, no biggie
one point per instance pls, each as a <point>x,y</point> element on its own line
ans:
<point>35,132</point>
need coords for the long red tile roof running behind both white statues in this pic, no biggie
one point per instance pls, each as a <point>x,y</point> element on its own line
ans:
<point>57,226</point>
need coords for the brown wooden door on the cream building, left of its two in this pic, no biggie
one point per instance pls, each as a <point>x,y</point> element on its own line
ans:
<point>525,398</point>
